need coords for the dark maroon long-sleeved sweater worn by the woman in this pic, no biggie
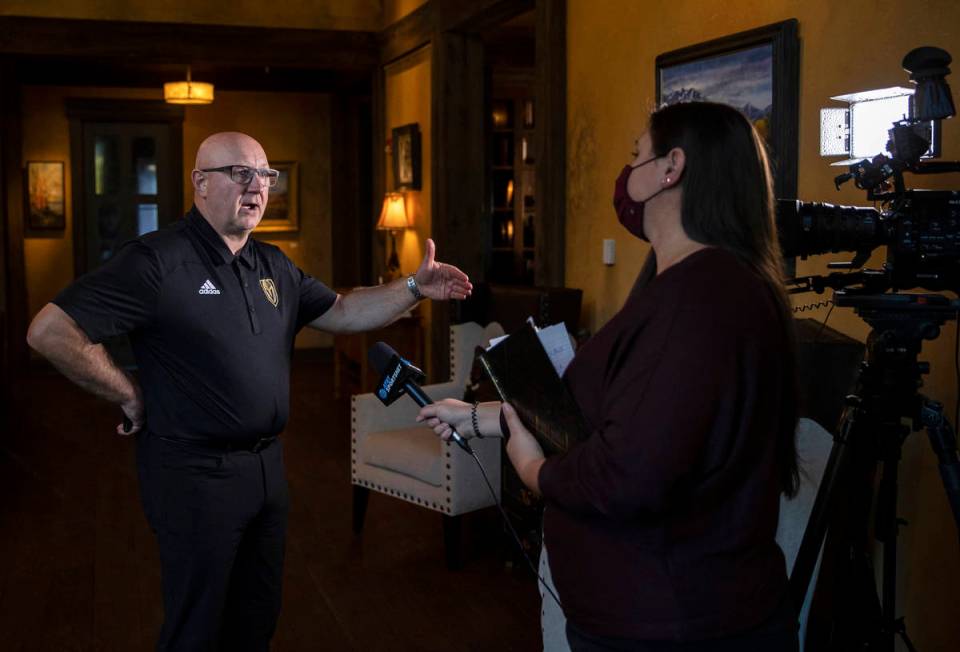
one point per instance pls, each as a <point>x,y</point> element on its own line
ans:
<point>661,524</point>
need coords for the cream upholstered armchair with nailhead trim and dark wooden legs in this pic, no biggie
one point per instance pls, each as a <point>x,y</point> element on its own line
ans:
<point>394,455</point>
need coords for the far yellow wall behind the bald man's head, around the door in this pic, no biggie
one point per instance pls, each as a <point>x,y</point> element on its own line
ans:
<point>291,127</point>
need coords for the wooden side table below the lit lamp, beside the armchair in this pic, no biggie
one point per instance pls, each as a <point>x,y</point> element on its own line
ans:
<point>352,373</point>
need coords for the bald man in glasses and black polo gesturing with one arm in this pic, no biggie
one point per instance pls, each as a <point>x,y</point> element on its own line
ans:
<point>212,314</point>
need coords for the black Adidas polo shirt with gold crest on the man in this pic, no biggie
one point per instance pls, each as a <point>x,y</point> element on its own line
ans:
<point>212,332</point>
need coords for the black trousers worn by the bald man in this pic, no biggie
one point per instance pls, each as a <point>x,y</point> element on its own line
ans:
<point>220,519</point>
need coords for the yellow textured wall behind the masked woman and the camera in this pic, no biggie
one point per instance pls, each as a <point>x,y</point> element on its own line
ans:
<point>845,46</point>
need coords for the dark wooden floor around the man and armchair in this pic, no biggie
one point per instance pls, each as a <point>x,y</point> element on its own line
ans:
<point>79,569</point>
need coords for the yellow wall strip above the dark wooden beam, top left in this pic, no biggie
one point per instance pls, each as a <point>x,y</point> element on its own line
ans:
<point>331,14</point>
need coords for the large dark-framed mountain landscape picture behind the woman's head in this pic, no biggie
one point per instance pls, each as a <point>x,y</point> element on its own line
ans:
<point>756,71</point>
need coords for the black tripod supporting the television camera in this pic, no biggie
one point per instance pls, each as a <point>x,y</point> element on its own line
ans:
<point>871,434</point>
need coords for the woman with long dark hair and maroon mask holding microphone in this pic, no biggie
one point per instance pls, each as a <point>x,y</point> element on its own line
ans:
<point>660,525</point>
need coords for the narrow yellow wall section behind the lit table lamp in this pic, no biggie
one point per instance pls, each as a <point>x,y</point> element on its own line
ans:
<point>407,91</point>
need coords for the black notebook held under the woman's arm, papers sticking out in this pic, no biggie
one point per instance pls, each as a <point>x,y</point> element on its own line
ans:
<point>525,378</point>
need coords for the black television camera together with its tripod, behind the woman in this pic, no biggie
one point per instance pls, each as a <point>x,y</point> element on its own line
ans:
<point>921,231</point>
